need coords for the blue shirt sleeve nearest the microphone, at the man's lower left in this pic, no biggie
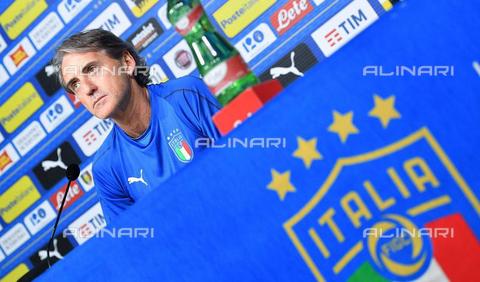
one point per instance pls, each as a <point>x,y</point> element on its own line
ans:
<point>112,197</point>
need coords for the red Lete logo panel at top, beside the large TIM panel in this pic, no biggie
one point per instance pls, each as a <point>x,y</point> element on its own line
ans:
<point>290,14</point>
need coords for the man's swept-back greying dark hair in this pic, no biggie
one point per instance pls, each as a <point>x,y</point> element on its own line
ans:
<point>100,40</point>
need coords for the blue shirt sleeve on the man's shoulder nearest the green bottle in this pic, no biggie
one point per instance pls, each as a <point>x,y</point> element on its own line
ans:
<point>191,98</point>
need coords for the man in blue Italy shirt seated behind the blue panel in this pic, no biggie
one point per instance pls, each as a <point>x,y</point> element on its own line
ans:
<point>155,125</point>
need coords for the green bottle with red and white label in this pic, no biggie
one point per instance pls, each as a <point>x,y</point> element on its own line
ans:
<point>219,63</point>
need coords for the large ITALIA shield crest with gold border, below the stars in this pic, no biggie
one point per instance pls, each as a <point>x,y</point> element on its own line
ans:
<point>409,185</point>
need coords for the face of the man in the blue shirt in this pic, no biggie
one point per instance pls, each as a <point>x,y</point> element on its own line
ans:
<point>101,83</point>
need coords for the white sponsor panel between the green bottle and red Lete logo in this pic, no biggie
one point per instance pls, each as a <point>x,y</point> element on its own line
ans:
<point>255,42</point>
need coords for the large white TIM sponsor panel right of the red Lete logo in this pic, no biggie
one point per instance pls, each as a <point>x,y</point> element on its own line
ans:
<point>345,25</point>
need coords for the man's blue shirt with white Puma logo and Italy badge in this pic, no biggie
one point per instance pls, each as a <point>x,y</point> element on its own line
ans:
<point>126,169</point>
